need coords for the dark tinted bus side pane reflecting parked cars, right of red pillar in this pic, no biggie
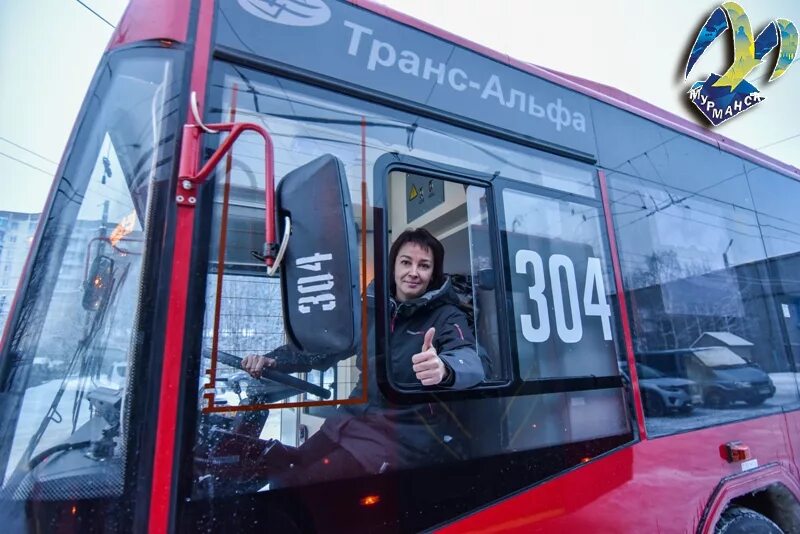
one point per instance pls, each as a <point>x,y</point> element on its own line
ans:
<point>699,287</point>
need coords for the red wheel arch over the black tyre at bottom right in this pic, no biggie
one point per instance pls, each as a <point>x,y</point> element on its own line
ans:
<point>770,492</point>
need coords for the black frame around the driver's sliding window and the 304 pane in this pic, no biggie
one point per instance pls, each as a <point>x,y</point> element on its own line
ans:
<point>495,184</point>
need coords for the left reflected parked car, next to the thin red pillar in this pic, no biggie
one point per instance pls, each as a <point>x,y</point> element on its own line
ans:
<point>664,395</point>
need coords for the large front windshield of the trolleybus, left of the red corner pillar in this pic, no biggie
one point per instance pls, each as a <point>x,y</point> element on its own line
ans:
<point>78,335</point>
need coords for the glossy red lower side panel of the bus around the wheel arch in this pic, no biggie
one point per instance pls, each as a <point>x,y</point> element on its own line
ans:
<point>666,484</point>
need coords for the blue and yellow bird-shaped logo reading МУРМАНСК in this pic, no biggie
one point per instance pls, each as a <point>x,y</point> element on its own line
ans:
<point>720,98</point>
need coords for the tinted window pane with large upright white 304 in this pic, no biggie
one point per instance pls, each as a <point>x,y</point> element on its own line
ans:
<point>561,286</point>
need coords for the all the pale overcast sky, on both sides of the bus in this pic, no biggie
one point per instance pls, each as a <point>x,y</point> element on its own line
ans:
<point>50,48</point>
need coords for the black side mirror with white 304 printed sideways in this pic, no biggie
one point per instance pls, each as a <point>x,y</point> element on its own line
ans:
<point>319,272</point>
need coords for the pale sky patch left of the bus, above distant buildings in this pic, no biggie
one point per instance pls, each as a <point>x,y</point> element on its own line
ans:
<point>49,50</point>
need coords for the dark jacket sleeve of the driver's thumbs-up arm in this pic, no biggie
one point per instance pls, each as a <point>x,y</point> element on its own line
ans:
<point>455,344</point>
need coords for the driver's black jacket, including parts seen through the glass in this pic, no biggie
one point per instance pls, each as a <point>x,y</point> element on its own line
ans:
<point>382,435</point>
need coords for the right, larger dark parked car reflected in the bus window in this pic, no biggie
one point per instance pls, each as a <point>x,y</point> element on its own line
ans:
<point>724,377</point>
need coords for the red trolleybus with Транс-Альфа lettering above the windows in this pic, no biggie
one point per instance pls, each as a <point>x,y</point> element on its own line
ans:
<point>234,182</point>
